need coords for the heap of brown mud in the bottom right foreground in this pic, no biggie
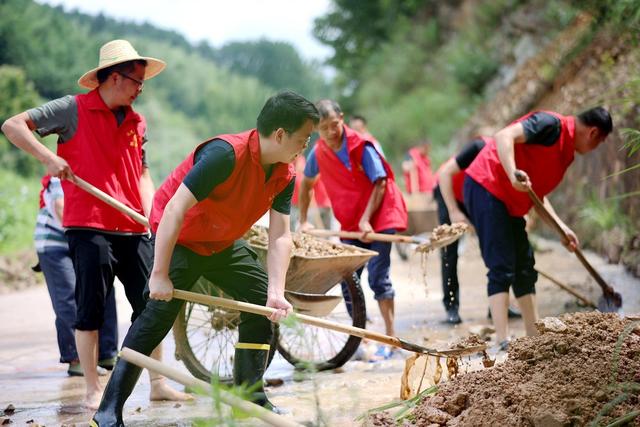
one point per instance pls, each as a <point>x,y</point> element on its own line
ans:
<point>582,367</point>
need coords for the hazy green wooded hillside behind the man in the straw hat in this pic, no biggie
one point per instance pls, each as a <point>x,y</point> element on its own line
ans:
<point>203,92</point>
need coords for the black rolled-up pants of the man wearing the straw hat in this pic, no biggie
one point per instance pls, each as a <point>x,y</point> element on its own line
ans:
<point>98,258</point>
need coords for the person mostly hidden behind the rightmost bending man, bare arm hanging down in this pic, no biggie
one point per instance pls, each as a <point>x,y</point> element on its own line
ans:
<point>448,196</point>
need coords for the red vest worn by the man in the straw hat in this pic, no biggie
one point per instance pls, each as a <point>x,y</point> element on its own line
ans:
<point>109,157</point>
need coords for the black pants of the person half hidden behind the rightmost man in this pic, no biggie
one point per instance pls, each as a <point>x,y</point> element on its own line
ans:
<point>448,258</point>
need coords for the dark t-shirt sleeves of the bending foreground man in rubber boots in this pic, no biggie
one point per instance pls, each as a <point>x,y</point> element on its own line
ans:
<point>213,164</point>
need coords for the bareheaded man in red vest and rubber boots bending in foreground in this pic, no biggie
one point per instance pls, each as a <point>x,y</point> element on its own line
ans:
<point>199,216</point>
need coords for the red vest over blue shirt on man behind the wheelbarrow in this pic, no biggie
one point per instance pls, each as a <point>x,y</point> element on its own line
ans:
<point>349,190</point>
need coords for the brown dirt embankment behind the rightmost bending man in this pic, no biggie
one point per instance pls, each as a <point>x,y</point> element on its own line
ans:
<point>589,63</point>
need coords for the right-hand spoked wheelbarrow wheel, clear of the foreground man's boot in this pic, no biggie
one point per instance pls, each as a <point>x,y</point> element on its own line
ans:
<point>314,348</point>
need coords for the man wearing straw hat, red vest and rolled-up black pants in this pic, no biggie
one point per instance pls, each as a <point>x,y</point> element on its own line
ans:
<point>100,138</point>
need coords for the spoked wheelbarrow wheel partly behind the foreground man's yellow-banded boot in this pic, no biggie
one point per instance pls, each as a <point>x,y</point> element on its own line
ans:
<point>206,336</point>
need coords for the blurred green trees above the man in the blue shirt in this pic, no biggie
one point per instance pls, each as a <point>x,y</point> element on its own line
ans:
<point>420,68</point>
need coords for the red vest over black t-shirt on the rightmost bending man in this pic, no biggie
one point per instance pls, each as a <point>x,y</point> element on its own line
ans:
<point>544,165</point>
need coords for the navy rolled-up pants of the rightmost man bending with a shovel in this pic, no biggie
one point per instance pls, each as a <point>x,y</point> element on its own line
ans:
<point>504,243</point>
